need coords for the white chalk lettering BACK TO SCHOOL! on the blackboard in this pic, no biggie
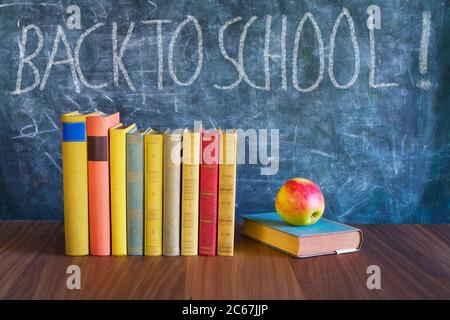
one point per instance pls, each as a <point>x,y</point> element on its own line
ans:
<point>343,23</point>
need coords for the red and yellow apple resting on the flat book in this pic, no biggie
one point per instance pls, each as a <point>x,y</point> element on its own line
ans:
<point>300,202</point>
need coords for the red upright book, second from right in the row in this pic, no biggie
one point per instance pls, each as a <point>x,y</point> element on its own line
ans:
<point>209,174</point>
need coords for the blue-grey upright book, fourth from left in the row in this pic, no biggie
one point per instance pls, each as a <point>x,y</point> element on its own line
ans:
<point>135,194</point>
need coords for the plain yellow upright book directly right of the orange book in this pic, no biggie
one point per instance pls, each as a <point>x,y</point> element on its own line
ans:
<point>118,184</point>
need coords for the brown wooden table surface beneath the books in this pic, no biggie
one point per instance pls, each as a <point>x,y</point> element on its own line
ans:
<point>414,262</point>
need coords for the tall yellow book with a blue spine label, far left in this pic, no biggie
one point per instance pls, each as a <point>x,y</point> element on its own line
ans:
<point>75,186</point>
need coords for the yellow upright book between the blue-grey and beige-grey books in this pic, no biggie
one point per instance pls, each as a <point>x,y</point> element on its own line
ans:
<point>153,203</point>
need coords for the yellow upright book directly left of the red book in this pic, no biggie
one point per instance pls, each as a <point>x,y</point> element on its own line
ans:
<point>189,193</point>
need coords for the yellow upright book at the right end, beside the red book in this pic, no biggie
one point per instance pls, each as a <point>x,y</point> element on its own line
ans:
<point>227,193</point>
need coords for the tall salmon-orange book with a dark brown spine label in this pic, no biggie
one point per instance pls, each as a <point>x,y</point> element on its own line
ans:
<point>97,127</point>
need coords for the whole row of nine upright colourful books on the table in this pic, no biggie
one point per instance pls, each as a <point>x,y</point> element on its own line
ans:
<point>144,192</point>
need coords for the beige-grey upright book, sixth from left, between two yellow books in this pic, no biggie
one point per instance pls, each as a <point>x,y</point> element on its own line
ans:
<point>171,207</point>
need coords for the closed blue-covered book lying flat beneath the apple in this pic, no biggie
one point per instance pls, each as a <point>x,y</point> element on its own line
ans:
<point>322,238</point>
